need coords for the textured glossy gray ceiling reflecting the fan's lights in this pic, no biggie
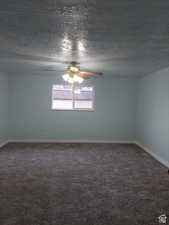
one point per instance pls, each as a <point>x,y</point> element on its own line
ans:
<point>124,37</point>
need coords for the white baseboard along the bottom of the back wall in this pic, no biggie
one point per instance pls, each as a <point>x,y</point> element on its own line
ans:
<point>69,141</point>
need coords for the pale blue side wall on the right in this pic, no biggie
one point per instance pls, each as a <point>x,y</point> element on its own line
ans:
<point>153,113</point>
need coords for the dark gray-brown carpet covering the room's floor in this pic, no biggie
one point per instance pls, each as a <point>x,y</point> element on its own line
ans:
<point>81,184</point>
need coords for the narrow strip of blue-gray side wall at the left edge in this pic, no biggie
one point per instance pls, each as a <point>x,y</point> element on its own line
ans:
<point>3,106</point>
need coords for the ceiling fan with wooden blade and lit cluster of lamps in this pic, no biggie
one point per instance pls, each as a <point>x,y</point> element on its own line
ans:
<point>74,75</point>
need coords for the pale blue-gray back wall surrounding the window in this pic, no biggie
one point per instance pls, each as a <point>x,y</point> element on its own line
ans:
<point>32,118</point>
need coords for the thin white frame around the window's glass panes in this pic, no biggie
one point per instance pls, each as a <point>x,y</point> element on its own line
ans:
<point>75,109</point>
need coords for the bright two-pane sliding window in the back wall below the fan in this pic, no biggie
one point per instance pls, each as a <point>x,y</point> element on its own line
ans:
<point>66,97</point>
